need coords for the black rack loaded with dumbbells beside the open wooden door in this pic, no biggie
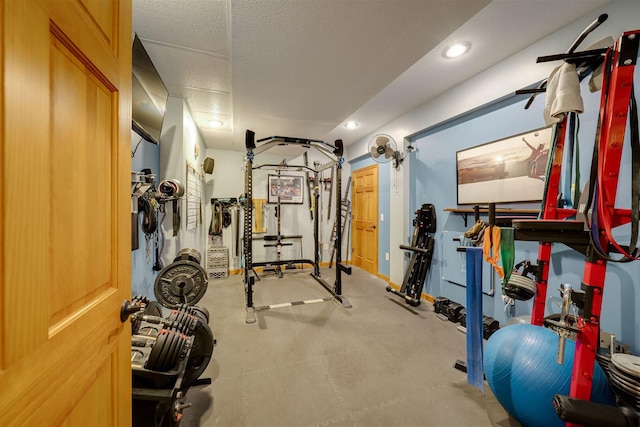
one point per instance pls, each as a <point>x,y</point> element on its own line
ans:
<point>161,377</point>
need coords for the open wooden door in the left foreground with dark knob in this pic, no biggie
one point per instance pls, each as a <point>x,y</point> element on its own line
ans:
<point>64,214</point>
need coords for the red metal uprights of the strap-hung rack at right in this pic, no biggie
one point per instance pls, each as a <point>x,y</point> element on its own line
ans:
<point>613,112</point>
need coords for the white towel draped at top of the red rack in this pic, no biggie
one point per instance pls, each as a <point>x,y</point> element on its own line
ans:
<point>563,94</point>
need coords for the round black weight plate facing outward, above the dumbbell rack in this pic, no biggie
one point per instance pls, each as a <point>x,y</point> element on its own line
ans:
<point>180,282</point>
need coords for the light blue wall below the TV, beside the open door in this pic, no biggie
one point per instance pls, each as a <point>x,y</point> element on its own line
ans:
<point>143,277</point>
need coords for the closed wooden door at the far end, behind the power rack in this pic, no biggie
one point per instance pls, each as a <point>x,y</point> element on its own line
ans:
<point>365,218</point>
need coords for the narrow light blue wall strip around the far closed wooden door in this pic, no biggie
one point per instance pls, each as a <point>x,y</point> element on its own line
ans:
<point>384,230</point>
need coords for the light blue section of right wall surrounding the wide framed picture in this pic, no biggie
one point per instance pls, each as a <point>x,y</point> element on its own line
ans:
<point>433,180</point>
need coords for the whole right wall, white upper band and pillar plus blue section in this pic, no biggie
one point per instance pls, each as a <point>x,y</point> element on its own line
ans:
<point>428,176</point>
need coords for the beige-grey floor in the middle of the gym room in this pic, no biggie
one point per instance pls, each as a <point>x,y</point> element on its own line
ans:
<point>375,364</point>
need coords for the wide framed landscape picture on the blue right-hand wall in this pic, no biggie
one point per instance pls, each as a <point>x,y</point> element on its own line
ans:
<point>509,170</point>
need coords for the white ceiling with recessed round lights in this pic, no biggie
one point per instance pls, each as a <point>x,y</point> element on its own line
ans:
<point>302,68</point>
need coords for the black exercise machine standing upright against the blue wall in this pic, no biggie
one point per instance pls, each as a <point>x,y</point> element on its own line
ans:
<point>424,224</point>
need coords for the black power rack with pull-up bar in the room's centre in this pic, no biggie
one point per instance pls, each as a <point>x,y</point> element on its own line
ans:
<point>334,155</point>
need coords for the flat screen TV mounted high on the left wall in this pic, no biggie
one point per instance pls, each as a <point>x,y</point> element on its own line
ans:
<point>149,95</point>
